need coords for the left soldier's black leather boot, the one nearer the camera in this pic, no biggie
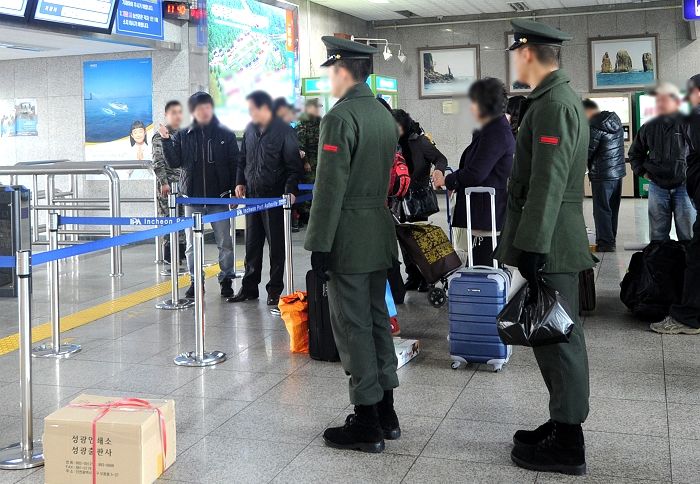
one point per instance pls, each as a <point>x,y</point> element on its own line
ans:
<point>360,432</point>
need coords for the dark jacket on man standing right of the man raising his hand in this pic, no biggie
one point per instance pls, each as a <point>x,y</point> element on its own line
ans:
<point>270,161</point>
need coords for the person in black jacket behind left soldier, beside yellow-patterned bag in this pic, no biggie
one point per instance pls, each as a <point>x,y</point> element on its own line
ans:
<point>421,156</point>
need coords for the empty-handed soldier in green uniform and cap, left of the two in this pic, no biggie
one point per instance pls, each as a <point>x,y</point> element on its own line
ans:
<point>353,243</point>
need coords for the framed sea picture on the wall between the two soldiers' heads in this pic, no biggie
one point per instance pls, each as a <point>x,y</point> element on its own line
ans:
<point>448,71</point>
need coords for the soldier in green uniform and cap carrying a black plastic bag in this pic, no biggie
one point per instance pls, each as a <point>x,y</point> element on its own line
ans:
<point>545,235</point>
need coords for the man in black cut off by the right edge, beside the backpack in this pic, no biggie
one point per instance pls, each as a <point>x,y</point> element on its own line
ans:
<point>685,317</point>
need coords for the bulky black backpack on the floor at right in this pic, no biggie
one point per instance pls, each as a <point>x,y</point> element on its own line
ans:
<point>654,280</point>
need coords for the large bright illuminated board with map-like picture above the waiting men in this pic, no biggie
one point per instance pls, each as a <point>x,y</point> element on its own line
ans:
<point>252,45</point>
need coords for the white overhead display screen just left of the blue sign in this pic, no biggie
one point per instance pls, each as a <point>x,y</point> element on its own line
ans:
<point>95,15</point>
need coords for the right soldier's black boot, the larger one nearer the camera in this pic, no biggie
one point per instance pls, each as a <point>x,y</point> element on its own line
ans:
<point>563,451</point>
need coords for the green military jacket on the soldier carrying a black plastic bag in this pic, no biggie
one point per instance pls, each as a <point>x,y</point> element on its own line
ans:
<point>545,192</point>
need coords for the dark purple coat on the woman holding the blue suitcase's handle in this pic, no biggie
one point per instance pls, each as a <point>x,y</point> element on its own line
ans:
<point>487,161</point>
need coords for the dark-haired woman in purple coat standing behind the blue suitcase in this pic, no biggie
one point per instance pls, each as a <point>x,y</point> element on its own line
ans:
<point>487,161</point>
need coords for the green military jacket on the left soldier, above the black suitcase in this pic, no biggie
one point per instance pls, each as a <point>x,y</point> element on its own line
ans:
<point>349,216</point>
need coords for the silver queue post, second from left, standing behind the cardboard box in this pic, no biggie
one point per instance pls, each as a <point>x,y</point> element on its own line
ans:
<point>55,349</point>
